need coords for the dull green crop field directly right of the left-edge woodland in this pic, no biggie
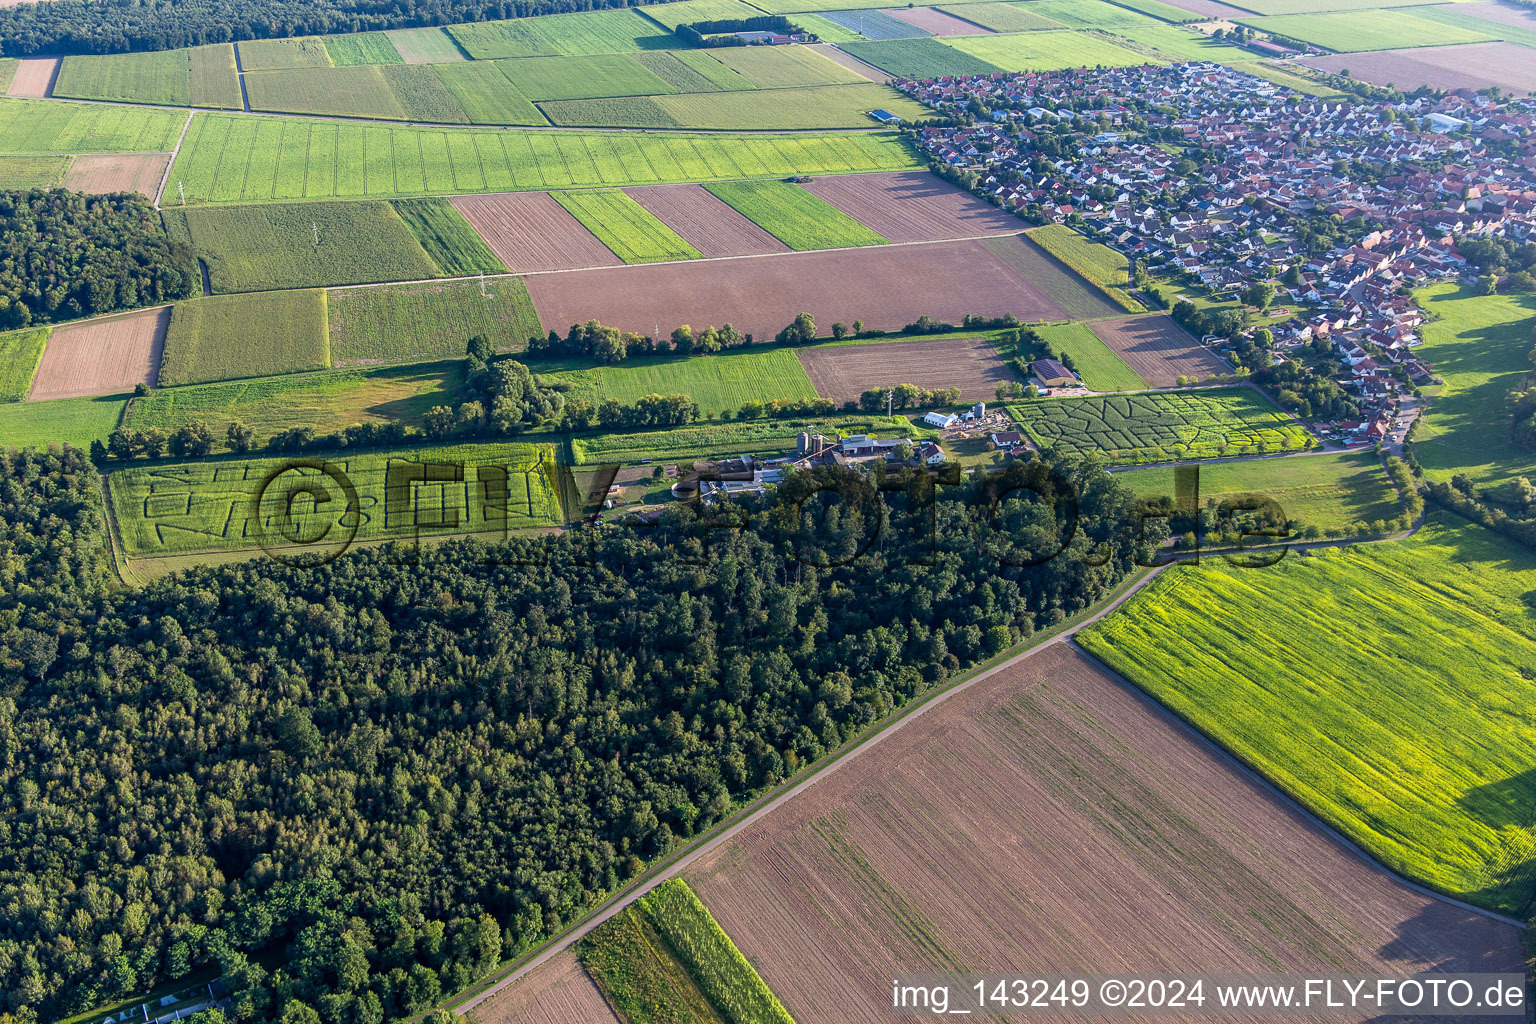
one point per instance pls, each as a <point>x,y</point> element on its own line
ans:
<point>302,245</point>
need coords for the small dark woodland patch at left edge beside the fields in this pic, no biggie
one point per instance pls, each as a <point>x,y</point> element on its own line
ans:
<point>67,256</point>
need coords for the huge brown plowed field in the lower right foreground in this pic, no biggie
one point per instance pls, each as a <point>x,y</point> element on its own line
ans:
<point>1053,821</point>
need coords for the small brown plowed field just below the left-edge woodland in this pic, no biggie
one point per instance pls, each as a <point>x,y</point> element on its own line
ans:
<point>102,357</point>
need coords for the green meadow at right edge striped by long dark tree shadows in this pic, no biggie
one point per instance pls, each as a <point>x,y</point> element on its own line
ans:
<point>1480,346</point>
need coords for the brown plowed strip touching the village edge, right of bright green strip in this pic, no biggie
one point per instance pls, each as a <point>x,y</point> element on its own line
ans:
<point>913,206</point>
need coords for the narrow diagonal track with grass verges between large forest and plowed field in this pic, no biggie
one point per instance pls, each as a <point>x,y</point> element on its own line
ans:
<point>730,828</point>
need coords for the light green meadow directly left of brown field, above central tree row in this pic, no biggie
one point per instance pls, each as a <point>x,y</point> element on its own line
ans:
<point>723,383</point>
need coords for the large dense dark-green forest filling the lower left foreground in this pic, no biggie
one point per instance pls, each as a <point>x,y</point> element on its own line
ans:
<point>353,790</point>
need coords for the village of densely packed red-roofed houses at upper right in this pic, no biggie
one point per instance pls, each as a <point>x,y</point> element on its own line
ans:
<point>1216,180</point>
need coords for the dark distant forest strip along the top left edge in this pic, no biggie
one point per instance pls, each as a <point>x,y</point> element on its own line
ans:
<point>119,27</point>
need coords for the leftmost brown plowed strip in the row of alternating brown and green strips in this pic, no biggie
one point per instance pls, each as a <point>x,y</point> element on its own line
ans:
<point>534,233</point>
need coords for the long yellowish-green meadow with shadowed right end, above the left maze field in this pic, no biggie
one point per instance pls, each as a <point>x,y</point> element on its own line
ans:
<point>326,401</point>
